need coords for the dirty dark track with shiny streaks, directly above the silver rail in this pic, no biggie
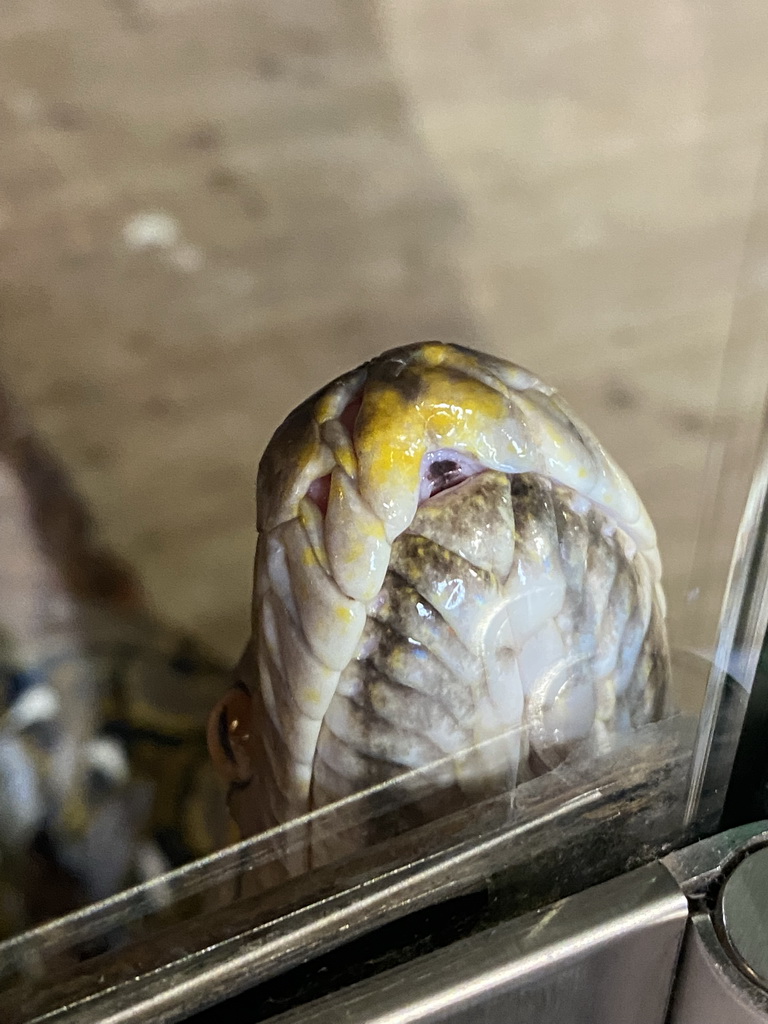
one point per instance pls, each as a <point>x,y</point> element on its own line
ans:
<point>578,832</point>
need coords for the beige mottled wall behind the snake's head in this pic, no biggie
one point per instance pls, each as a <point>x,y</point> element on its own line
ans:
<point>209,207</point>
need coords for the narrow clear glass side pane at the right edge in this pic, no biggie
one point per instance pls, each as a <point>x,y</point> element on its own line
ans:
<point>737,475</point>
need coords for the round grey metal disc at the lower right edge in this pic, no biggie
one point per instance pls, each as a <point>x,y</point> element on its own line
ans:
<point>744,916</point>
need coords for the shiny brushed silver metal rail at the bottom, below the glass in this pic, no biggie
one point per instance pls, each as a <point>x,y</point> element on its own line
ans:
<point>606,955</point>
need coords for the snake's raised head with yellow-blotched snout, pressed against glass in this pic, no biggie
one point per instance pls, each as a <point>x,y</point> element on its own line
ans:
<point>450,572</point>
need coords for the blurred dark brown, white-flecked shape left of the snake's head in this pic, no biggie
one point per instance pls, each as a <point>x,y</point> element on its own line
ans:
<point>105,776</point>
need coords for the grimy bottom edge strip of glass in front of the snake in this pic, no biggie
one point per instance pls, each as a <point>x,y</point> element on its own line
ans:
<point>237,918</point>
